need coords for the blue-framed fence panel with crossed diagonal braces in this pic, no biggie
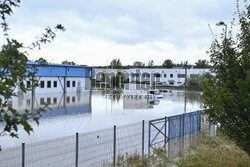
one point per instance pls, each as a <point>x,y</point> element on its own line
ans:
<point>157,131</point>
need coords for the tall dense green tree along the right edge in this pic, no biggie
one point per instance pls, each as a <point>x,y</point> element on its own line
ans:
<point>227,94</point>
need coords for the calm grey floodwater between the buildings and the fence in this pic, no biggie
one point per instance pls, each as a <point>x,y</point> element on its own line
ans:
<point>88,111</point>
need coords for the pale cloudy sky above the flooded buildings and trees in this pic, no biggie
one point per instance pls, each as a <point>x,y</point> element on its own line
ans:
<point>98,31</point>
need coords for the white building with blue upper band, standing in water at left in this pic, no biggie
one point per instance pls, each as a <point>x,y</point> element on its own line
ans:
<point>58,78</point>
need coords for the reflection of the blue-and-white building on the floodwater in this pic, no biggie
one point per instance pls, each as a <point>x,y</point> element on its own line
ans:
<point>58,103</point>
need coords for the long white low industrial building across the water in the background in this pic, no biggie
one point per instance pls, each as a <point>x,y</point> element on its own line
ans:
<point>159,76</point>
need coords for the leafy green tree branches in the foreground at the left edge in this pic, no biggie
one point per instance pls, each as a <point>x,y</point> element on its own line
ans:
<point>14,70</point>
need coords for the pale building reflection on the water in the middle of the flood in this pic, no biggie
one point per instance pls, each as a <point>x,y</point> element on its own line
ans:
<point>143,103</point>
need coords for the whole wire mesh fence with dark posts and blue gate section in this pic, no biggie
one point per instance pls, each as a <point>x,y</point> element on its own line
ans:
<point>103,146</point>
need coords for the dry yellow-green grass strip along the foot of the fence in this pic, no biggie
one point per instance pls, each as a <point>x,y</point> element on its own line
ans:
<point>216,151</point>
